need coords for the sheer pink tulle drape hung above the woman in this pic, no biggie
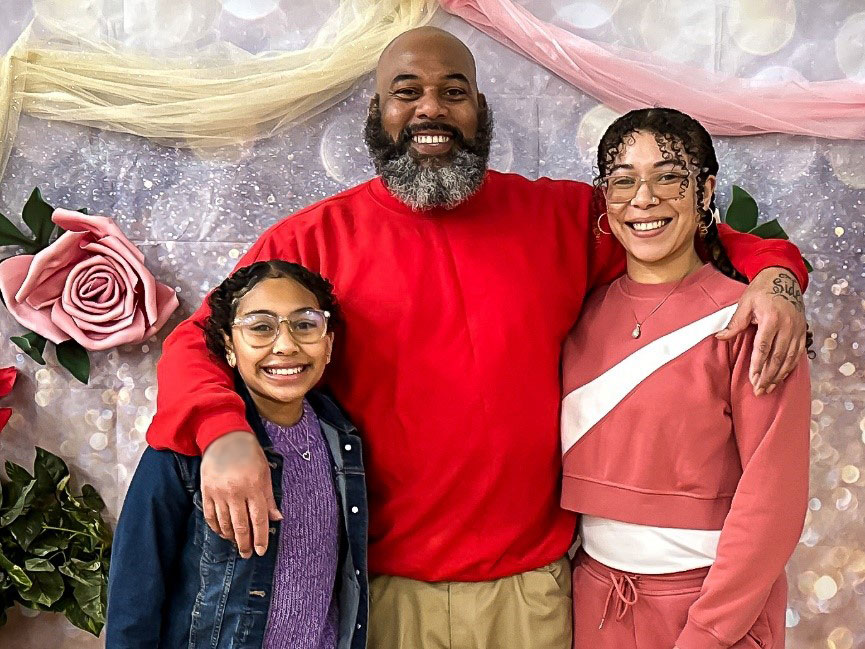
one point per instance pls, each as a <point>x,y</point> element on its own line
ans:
<point>626,79</point>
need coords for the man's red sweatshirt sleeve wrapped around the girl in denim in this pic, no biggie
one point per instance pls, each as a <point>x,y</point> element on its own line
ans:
<point>196,402</point>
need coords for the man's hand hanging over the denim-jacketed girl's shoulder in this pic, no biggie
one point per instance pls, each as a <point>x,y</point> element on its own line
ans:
<point>237,493</point>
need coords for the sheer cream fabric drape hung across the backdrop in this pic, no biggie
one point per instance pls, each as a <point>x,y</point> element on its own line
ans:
<point>213,100</point>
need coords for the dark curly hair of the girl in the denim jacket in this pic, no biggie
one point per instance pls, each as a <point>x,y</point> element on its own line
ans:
<point>224,298</point>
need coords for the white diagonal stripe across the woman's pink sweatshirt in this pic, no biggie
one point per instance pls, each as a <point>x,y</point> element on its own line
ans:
<point>588,404</point>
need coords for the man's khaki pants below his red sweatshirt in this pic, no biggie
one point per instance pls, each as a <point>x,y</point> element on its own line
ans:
<point>531,610</point>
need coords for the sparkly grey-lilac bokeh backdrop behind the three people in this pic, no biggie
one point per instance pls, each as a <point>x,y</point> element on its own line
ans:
<point>193,212</point>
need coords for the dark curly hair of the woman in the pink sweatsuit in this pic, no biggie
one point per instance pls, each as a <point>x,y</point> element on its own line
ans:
<point>685,142</point>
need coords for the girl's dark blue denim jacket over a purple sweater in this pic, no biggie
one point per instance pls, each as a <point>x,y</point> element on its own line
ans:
<point>175,584</point>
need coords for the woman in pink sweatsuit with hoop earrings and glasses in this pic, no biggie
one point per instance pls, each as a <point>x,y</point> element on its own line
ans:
<point>692,489</point>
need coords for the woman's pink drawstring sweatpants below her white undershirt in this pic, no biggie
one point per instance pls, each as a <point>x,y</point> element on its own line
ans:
<point>617,610</point>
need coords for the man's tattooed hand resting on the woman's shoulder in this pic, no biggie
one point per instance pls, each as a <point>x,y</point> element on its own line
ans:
<point>773,301</point>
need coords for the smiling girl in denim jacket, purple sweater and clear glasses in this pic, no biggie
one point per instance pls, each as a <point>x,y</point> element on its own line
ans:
<point>173,581</point>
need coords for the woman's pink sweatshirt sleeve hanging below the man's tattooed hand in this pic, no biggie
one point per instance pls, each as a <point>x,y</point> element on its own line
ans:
<point>768,509</point>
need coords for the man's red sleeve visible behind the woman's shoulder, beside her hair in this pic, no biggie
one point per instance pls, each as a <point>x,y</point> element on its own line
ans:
<point>750,254</point>
